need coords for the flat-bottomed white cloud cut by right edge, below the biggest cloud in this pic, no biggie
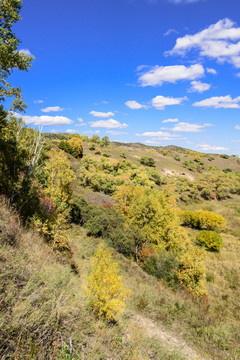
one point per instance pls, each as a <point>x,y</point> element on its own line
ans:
<point>218,102</point>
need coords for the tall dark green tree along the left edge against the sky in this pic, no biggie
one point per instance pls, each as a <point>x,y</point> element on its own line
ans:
<point>18,156</point>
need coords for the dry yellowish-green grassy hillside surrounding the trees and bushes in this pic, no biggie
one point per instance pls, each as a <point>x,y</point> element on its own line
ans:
<point>44,312</point>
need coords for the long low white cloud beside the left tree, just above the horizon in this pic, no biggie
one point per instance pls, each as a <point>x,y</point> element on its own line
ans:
<point>44,119</point>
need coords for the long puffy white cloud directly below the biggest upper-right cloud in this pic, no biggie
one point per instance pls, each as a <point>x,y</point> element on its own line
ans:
<point>157,75</point>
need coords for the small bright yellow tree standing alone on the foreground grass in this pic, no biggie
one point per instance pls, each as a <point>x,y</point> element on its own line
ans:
<point>105,291</point>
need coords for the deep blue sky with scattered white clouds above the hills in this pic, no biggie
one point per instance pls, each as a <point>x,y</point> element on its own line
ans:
<point>158,72</point>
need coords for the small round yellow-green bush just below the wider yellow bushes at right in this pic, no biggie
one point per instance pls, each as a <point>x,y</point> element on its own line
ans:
<point>210,240</point>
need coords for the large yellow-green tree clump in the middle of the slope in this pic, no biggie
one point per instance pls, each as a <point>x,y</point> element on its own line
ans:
<point>157,217</point>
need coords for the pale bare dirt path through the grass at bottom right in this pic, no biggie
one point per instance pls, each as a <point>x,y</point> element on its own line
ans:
<point>154,330</point>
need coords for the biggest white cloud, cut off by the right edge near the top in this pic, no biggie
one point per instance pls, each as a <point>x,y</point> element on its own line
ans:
<point>220,41</point>
